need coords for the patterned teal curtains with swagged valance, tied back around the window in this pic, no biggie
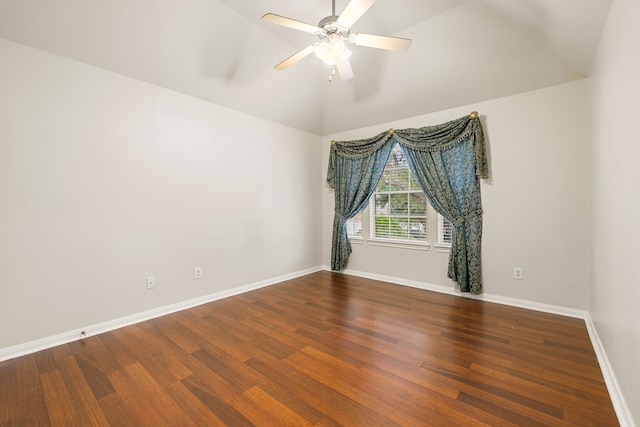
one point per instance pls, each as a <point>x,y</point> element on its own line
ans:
<point>447,161</point>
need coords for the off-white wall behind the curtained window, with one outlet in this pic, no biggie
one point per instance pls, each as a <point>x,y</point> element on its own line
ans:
<point>535,203</point>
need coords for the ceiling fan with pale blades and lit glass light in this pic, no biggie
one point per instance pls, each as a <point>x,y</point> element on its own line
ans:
<point>334,33</point>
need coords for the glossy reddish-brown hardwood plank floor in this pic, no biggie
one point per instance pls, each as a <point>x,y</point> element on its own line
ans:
<point>326,349</point>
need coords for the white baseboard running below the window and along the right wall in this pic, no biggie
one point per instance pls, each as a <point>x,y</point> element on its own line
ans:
<point>619,404</point>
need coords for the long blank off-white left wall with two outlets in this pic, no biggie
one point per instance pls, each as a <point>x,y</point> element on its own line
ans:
<point>105,180</point>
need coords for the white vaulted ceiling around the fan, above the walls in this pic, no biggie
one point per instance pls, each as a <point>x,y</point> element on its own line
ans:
<point>463,51</point>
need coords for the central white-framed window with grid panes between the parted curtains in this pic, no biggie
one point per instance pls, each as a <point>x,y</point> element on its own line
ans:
<point>398,207</point>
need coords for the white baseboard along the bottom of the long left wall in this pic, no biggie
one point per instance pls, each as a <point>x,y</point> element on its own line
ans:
<point>77,334</point>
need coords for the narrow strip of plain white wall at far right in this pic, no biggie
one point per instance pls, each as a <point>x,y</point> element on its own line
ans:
<point>615,198</point>
